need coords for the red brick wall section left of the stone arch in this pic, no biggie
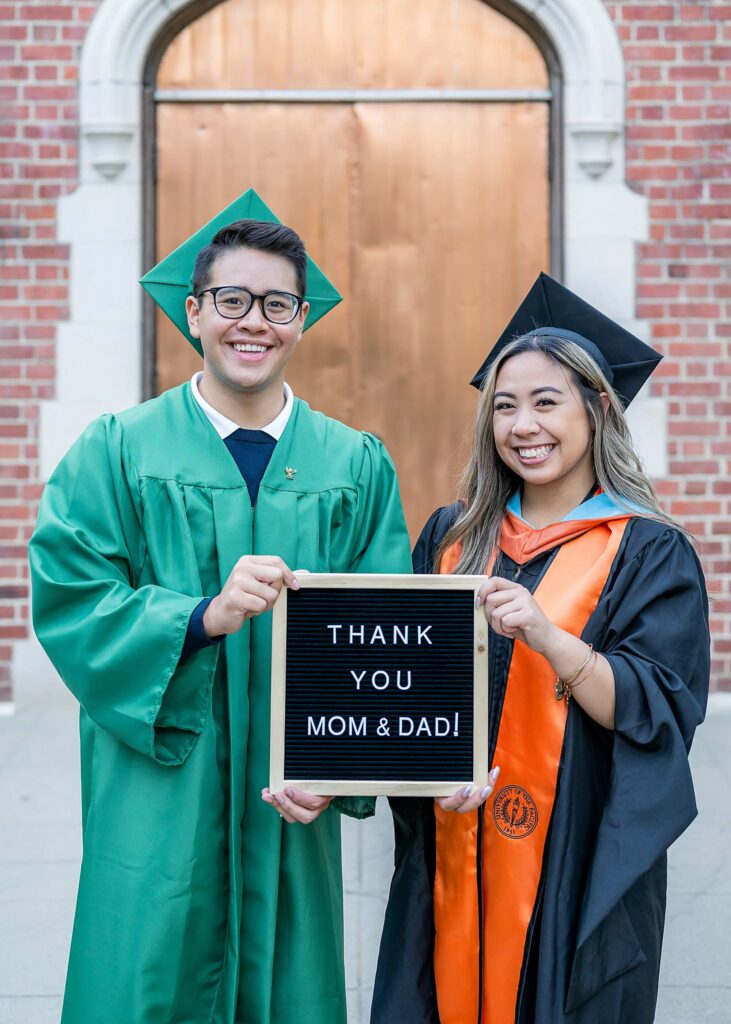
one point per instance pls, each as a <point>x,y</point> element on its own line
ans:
<point>39,55</point>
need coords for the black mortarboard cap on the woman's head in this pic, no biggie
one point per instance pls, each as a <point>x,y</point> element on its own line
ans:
<point>550,309</point>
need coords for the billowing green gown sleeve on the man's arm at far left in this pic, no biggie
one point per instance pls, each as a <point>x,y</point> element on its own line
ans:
<point>115,639</point>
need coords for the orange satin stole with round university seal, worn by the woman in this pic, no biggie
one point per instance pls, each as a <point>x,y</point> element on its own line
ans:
<point>518,818</point>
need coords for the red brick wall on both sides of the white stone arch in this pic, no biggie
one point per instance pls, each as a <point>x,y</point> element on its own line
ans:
<point>679,155</point>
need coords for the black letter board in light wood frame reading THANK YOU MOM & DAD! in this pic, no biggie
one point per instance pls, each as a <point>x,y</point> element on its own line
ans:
<point>379,686</point>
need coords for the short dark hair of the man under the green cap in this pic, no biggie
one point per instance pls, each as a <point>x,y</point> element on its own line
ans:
<point>269,238</point>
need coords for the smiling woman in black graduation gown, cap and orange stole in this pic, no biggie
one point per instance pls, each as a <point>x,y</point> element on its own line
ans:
<point>543,901</point>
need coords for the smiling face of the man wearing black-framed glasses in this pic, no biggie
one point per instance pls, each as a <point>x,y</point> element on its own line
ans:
<point>247,356</point>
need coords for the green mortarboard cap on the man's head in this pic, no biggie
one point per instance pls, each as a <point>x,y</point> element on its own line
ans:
<point>169,282</point>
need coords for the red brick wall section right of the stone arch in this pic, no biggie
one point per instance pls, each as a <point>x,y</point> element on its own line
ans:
<point>678,59</point>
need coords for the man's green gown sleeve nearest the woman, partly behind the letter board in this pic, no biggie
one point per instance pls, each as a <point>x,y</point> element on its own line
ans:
<point>383,547</point>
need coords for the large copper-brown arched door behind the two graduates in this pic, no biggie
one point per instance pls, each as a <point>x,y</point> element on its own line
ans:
<point>429,210</point>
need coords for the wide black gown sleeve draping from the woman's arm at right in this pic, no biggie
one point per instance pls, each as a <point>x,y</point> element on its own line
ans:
<point>655,633</point>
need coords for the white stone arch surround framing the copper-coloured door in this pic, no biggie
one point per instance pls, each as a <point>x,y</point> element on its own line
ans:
<point>100,351</point>
